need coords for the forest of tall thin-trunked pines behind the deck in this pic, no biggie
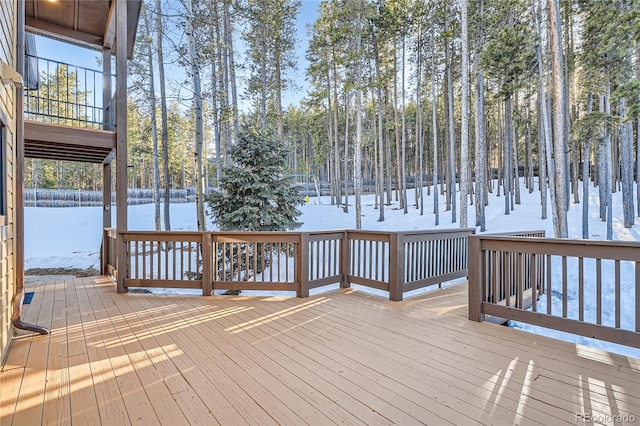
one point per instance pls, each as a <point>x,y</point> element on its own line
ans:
<point>474,96</point>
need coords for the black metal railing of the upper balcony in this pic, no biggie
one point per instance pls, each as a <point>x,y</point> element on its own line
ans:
<point>69,95</point>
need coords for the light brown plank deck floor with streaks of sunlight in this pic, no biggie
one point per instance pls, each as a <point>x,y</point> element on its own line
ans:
<point>339,357</point>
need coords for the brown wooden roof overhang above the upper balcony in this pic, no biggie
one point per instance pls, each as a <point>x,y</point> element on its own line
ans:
<point>87,23</point>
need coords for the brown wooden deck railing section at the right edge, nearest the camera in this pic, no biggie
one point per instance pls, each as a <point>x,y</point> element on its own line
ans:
<point>558,284</point>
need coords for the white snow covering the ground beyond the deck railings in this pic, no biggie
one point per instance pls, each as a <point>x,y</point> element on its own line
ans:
<point>70,237</point>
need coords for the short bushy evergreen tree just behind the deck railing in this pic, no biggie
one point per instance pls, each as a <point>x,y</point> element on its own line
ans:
<point>256,195</point>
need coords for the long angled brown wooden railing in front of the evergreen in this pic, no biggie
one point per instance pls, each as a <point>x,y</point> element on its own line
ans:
<point>289,261</point>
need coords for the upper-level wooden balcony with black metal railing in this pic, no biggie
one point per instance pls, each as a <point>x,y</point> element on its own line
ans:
<point>70,116</point>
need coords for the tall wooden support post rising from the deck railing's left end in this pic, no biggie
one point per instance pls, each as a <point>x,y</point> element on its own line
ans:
<point>121,138</point>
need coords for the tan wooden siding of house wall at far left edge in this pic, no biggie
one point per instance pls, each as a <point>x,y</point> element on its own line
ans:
<point>8,22</point>
